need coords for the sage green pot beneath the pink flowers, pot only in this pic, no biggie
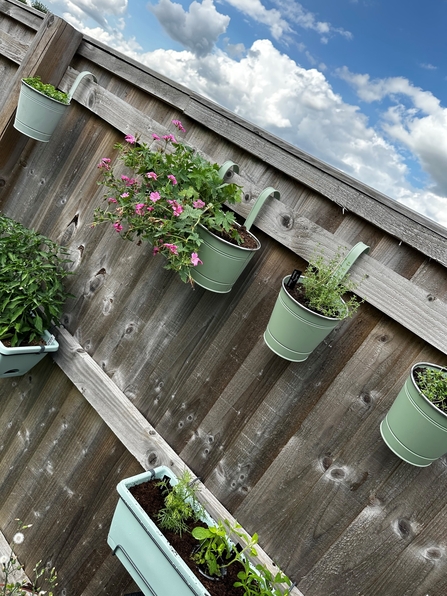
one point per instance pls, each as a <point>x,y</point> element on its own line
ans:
<point>223,262</point>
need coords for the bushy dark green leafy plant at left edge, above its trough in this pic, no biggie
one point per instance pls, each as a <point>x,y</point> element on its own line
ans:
<point>32,295</point>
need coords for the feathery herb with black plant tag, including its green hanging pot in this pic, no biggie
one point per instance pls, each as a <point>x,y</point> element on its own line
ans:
<point>308,308</point>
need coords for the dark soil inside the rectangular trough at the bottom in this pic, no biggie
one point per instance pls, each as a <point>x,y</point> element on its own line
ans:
<point>151,499</point>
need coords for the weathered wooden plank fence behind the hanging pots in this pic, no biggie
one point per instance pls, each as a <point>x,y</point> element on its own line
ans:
<point>293,451</point>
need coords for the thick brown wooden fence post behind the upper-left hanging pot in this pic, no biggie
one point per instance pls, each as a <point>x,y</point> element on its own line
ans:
<point>48,56</point>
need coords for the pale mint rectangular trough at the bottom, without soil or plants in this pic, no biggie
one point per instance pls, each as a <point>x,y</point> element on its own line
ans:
<point>143,550</point>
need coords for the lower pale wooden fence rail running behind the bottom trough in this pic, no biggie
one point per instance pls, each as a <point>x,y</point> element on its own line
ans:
<point>128,424</point>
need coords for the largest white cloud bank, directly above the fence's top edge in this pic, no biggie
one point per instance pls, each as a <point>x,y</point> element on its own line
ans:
<point>299,105</point>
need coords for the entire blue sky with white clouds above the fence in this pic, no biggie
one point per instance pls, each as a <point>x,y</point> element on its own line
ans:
<point>360,84</point>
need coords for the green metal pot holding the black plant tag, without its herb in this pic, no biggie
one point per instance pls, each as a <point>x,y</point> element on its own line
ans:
<point>293,331</point>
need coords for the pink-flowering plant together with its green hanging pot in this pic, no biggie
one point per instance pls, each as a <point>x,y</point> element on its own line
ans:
<point>173,198</point>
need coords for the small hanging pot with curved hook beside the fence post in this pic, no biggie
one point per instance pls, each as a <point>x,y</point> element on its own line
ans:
<point>37,114</point>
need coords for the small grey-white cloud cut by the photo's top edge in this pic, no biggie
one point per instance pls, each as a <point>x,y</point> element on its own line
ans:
<point>197,30</point>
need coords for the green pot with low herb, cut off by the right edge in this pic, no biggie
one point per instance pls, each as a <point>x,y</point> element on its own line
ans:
<point>415,428</point>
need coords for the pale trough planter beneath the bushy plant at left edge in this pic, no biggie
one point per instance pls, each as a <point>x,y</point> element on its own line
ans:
<point>15,362</point>
